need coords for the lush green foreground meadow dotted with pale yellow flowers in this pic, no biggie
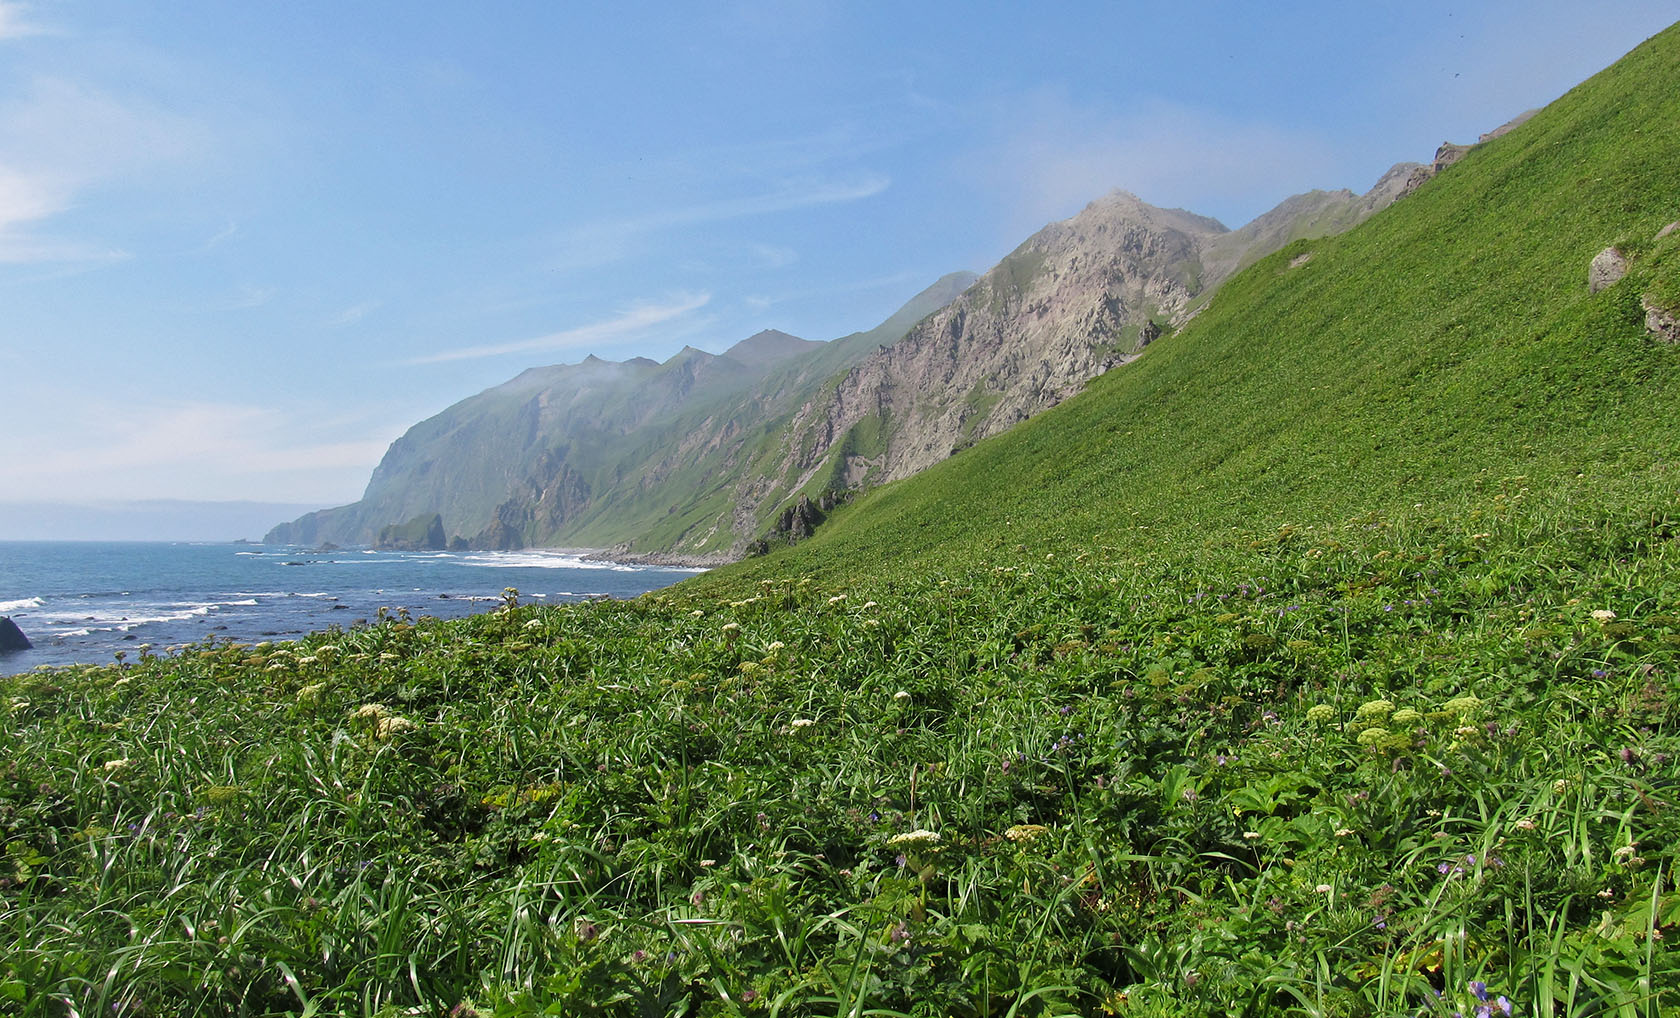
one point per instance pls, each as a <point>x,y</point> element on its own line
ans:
<point>1326,774</point>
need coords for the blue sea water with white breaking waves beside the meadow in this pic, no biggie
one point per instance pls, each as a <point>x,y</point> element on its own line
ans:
<point>81,602</point>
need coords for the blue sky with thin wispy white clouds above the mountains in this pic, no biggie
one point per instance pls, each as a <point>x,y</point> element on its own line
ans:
<point>244,246</point>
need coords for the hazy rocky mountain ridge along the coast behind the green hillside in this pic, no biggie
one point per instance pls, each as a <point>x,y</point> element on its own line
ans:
<point>695,459</point>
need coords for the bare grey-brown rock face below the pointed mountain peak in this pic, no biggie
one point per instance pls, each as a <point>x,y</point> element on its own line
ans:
<point>1071,303</point>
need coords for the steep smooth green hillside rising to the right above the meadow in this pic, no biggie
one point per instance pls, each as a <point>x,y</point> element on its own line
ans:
<point>1447,344</point>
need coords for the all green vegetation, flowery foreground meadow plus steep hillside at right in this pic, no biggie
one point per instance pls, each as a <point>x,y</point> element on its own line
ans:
<point>1321,663</point>
